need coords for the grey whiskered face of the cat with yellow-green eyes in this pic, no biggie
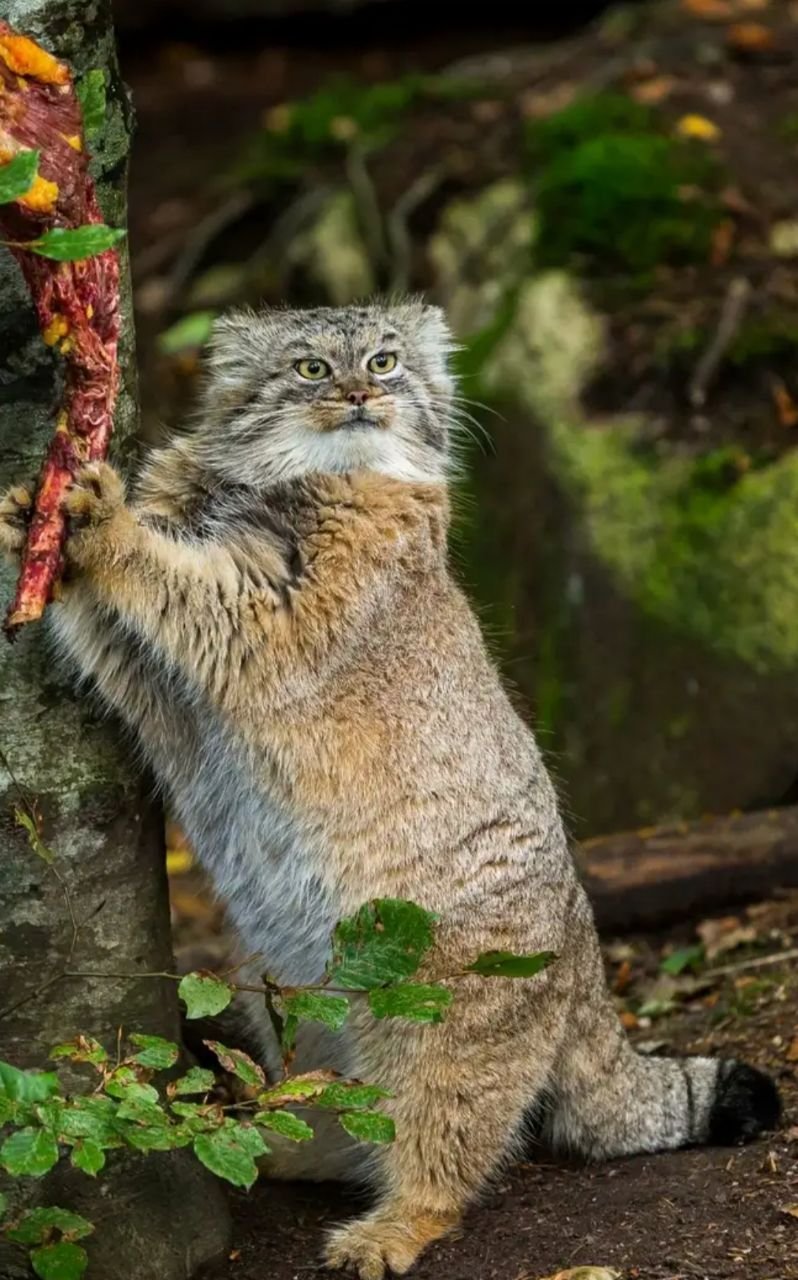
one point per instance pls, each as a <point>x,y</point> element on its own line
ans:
<point>330,390</point>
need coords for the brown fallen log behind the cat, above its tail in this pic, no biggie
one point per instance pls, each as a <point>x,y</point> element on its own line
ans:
<point>662,875</point>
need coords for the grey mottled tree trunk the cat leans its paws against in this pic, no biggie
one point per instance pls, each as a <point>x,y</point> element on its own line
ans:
<point>161,1217</point>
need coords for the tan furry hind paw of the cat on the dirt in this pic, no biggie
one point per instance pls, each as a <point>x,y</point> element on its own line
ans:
<point>381,1244</point>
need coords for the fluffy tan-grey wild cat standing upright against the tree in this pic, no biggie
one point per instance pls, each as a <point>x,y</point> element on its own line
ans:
<point>275,615</point>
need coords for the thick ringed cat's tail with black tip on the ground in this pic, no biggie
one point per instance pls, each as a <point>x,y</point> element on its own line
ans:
<point>607,1100</point>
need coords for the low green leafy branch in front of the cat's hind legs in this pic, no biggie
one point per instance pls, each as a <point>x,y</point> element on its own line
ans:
<point>131,1104</point>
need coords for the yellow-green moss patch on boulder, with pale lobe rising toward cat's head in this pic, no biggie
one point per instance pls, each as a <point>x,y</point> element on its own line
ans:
<point>706,546</point>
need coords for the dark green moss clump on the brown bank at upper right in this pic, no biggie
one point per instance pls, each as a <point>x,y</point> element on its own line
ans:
<point>612,190</point>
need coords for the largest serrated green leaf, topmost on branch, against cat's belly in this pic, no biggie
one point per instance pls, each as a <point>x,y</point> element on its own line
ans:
<point>382,944</point>
